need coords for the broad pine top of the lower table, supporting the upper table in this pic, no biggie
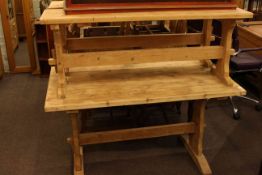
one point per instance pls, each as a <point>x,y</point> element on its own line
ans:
<point>140,84</point>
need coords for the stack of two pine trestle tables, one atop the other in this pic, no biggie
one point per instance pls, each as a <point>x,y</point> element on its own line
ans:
<point>159,72</point>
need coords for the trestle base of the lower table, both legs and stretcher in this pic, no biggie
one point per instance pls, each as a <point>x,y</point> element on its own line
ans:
<point>191,132</point>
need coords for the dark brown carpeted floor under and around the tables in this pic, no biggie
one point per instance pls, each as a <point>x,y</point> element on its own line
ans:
<point>33,142</point>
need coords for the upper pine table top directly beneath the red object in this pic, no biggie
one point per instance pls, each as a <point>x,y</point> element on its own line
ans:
<point>55,15</point>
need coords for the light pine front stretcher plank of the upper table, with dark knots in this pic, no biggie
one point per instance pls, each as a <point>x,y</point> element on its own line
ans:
<point>127,57</point>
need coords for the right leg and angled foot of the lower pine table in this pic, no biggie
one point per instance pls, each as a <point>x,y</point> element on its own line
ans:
<point>194,142</point>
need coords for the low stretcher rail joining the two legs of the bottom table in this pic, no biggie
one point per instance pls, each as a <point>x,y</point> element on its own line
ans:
<point>136,133</point>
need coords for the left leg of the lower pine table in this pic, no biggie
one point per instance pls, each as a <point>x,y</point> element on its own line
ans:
<point>77,149</point>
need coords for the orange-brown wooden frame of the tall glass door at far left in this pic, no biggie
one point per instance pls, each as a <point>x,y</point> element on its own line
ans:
<point>8,38</point>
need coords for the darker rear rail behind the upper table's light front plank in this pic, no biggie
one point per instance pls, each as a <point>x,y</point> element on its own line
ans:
<point>134,41</point>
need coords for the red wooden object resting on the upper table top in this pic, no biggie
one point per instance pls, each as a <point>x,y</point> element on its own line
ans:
<point>110,6</point>
